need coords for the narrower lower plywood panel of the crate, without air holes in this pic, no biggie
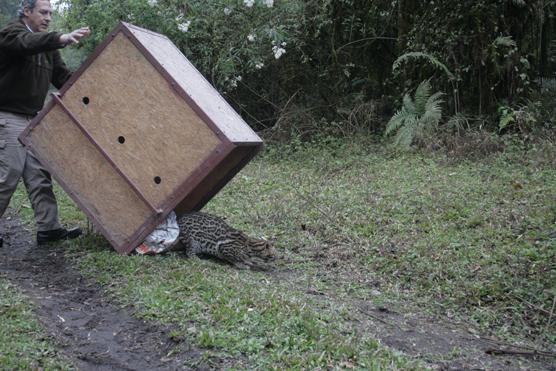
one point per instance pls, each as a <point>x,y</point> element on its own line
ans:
<point>89,177</point>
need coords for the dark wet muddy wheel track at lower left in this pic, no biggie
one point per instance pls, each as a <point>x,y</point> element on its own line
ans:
<point>94,333</point>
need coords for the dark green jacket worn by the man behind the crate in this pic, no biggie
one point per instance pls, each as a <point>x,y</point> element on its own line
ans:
<point>29,62</point>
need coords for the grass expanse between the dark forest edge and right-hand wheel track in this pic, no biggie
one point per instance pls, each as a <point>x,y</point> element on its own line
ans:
<point>473,239</point>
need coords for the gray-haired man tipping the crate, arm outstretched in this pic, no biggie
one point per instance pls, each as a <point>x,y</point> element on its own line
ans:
<point>29,62</point>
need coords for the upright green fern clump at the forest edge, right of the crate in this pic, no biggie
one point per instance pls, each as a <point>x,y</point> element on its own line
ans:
<point>417,118</point>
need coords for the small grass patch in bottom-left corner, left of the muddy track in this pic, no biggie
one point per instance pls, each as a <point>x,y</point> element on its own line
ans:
<point>23,345</point>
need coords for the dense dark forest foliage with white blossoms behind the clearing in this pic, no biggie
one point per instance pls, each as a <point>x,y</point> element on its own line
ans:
<point>314,65</point>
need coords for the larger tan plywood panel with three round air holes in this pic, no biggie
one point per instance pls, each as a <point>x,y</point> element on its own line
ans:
<point>130,102</point>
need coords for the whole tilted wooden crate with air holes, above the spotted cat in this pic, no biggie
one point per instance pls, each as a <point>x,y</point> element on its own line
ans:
<point>138,132</point>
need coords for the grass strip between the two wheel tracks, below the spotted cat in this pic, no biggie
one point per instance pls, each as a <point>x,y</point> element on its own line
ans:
<point>242,315</point>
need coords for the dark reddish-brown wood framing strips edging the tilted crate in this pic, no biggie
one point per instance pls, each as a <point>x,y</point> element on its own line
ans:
<point>216,157</point>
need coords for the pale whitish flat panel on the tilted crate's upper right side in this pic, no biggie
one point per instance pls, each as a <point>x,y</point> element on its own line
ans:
<point>196,86</point>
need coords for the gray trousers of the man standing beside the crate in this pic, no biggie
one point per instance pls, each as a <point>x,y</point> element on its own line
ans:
<point>17,162</point>
